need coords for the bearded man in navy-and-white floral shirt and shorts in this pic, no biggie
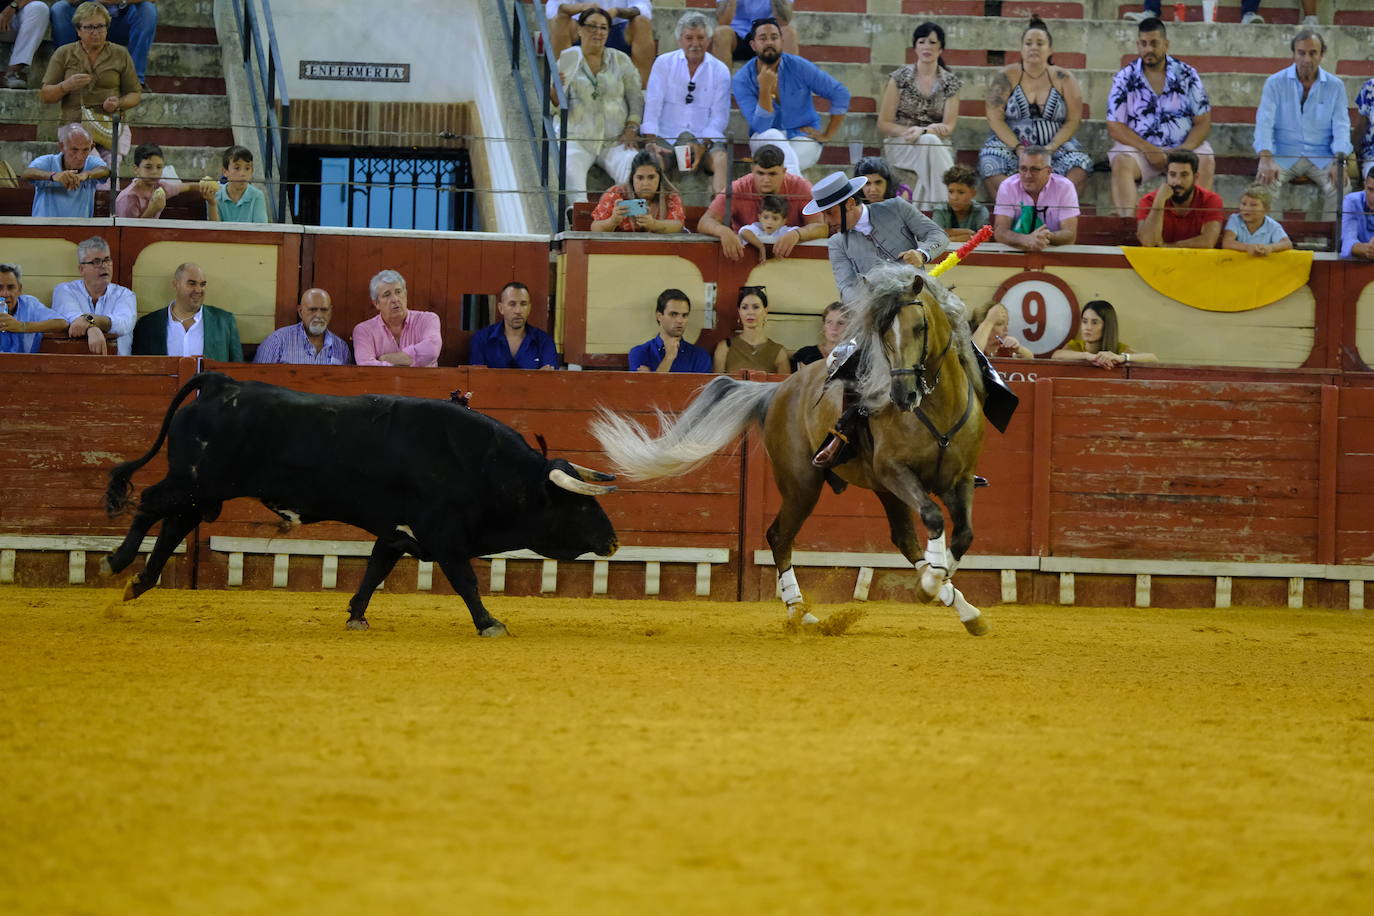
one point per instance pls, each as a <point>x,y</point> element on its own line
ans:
<point>1158,104</point>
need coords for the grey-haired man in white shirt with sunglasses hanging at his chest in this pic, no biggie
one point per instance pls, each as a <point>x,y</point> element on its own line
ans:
<point>688,104</point>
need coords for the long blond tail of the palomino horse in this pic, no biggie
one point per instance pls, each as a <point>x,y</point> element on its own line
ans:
<point>688,440</point>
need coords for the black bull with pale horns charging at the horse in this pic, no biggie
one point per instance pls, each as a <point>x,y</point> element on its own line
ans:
<point>429,479</point>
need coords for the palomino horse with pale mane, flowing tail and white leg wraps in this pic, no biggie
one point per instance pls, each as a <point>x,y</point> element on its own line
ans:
<point>920,387</point>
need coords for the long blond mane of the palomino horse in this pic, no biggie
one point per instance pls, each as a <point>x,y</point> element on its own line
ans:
<point>886,290</point>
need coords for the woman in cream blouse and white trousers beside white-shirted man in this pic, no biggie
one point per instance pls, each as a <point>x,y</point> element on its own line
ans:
<point>605,105</point>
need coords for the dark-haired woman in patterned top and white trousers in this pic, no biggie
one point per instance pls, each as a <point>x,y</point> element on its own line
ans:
<point>919,115</point>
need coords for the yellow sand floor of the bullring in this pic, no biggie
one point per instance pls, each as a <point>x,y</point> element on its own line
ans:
<point>243,753</point>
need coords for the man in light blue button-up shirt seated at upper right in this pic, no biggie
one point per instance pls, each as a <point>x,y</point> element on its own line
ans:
<point>1303,123</point>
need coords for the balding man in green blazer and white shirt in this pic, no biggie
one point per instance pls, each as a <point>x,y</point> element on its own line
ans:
<point>188,326</point>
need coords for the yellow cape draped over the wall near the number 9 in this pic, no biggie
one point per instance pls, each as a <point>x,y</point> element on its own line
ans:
<point>1219,281</point>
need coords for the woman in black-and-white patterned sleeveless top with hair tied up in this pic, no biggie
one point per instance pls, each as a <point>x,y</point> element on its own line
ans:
<point>1034,104</point>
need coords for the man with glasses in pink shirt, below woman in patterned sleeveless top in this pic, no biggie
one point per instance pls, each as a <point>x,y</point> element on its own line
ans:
<point>1035,207</point>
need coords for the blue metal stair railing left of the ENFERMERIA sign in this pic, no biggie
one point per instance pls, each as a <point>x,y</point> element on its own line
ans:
<point>267,93</point>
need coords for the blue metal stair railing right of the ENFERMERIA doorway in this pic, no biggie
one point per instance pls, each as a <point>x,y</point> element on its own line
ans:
<point>550,153</point>
